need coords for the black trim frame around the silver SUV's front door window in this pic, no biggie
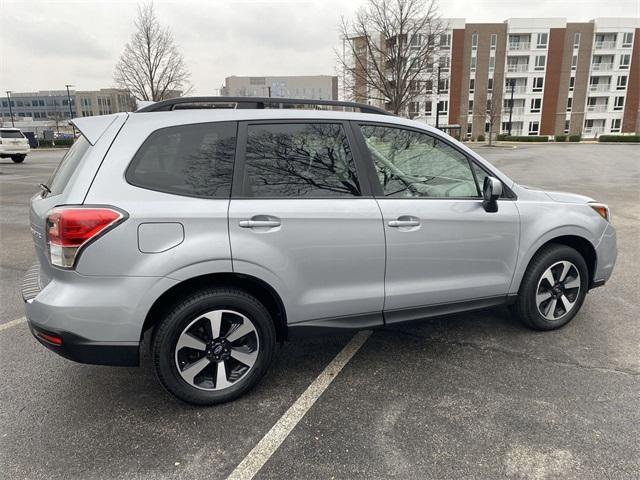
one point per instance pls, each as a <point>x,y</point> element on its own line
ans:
<point>376,187</point>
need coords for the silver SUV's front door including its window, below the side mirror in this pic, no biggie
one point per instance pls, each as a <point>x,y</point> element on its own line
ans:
<point>444,251</point>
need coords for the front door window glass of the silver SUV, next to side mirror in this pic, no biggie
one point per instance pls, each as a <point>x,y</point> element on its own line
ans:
<point>413,164</point>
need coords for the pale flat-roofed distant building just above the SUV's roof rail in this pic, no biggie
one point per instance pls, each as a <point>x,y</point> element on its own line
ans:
<point>314,87</point>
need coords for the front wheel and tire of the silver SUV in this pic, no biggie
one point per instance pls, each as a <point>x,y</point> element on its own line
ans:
<point>535,305</point>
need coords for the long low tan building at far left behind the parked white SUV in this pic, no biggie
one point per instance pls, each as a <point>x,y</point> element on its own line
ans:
<point>45,105</point>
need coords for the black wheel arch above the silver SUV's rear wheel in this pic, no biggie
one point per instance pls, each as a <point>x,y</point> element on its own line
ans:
<point>252,285</point>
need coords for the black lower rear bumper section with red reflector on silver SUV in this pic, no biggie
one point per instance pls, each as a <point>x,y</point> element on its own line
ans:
<point>81,350</point>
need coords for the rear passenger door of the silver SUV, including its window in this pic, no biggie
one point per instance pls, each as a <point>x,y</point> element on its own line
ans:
<point>302,219</point>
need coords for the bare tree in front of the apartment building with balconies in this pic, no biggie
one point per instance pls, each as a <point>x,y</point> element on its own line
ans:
<point>388,51</point>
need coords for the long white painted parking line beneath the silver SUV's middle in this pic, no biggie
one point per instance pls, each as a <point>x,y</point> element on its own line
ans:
<point>266,447</point>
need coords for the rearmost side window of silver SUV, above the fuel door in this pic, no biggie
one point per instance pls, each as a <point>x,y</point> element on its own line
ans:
<point>191,160</point>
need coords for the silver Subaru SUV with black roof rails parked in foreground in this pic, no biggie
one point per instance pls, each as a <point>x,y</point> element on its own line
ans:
<point>221,231</point>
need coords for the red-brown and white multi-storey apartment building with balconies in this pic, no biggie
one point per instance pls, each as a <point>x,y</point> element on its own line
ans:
<point>532,76</point>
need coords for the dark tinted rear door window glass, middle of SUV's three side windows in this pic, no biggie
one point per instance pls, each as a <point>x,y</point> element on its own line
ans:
<point>300,160</point>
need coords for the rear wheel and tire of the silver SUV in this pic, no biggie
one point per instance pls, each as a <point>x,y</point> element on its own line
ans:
<point>191,370</point>
